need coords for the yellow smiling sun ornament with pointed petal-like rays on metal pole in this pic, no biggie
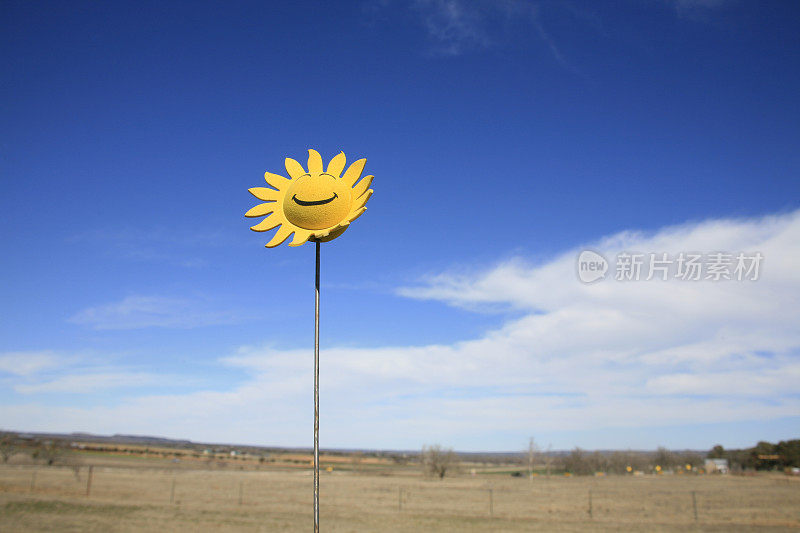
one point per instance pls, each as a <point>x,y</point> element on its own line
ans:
<point>316,205</point>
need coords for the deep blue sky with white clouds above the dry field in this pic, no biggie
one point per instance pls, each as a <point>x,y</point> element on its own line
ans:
<point>504,136</point>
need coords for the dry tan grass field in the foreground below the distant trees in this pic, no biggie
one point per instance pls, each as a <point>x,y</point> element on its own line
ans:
<point>161,496</point>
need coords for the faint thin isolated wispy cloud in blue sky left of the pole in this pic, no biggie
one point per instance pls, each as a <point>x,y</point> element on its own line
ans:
<point>135,312</point>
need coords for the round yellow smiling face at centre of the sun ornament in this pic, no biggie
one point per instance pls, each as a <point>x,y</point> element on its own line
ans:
<point>317,201</point>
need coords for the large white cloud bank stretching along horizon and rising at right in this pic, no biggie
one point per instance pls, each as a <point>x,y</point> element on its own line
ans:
<point>579,358</point>
